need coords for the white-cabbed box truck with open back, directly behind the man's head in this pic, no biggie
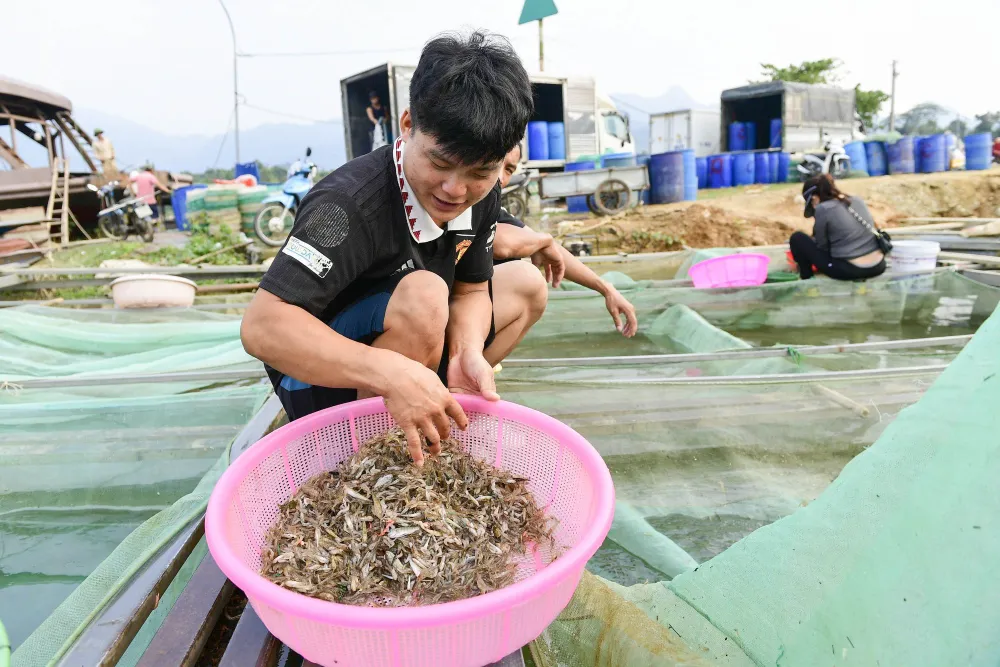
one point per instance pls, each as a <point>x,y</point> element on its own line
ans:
<point>593,125</point>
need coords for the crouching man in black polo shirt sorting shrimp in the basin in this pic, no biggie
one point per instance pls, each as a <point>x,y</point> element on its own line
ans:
<point>382,287</point>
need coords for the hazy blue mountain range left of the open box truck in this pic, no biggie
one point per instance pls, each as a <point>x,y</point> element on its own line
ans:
<point>278,143</point>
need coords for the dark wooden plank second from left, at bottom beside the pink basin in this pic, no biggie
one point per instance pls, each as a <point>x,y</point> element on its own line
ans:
<point>183,633</point>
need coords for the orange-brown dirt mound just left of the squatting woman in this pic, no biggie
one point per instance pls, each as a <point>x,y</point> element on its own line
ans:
<point>672,227</point>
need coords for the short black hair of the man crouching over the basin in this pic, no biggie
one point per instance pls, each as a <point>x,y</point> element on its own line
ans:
<point>472,94</point>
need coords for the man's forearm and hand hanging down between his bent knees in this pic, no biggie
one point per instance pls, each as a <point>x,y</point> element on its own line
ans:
<point>469,316</point>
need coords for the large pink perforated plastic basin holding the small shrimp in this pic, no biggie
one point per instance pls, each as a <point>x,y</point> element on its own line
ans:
<point>567,476</point>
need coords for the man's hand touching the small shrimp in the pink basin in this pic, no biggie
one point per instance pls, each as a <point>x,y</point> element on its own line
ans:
<point>420,404</point>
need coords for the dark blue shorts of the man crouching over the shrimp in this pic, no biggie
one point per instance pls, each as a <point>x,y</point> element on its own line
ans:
<point>362,321</point>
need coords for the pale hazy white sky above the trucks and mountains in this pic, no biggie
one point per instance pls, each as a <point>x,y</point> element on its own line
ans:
<point>168,65</point>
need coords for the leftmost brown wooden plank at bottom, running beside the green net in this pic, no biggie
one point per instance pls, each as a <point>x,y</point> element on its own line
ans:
<point>108,636</point>
